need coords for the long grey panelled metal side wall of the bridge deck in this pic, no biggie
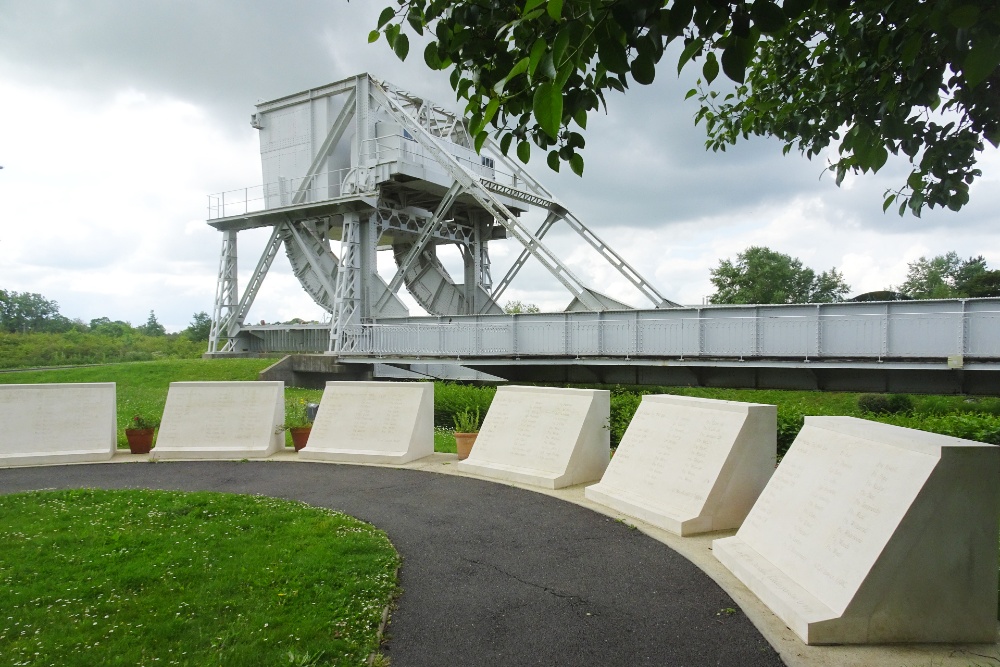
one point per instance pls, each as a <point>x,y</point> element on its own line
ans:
<point>928,330</point>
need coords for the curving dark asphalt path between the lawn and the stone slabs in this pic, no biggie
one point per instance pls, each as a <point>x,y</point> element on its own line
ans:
<point>492,575</point>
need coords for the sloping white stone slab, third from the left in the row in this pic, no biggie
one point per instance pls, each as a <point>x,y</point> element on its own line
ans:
<point>373,422</point>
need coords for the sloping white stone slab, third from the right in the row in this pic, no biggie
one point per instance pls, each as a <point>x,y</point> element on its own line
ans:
<point>543,436</point>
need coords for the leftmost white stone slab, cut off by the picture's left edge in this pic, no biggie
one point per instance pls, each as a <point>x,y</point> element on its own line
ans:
<point>57,423</point>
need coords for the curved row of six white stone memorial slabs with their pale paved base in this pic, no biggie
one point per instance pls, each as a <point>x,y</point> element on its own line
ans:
<point>865,534</point>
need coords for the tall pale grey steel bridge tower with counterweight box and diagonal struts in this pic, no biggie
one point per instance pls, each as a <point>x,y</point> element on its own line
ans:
<point>359,166</point>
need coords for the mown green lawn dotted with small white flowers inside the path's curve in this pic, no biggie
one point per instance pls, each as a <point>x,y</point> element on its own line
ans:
<point>154,577</point>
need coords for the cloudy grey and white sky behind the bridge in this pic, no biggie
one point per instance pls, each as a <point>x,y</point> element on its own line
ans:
<point>119,118</point>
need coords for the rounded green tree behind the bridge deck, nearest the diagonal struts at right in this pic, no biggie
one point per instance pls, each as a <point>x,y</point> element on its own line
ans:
<point>761,275</point>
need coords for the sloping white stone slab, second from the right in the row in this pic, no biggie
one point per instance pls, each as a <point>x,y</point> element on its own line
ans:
<point>691,465</point>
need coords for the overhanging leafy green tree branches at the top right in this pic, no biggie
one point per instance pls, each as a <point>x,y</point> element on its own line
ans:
<point>911,77</point>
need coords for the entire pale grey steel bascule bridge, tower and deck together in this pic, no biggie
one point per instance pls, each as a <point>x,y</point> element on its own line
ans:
<point>359,167</point>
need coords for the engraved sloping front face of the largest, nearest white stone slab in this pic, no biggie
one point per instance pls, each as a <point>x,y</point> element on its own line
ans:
<point>830,509</point>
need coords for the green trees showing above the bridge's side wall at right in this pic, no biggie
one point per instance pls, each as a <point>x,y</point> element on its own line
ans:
<point>762,275</point>
